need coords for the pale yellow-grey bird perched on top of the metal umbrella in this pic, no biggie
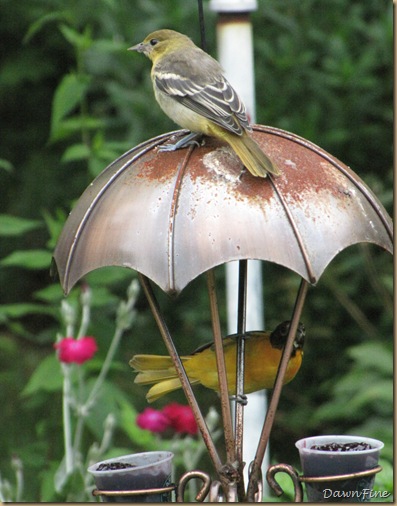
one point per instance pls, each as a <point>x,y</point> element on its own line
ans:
<point>191,89</point>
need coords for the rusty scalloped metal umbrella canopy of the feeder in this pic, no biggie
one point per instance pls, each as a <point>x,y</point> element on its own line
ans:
<point>174,215</point>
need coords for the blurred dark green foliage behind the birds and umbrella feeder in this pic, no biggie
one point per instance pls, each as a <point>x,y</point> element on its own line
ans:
<point>72,99</point>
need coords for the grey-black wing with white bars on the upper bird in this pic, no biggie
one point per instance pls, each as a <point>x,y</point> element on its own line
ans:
<point>199,85</point>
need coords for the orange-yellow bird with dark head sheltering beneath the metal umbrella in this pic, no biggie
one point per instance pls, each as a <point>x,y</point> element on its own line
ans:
<point>262,357</point>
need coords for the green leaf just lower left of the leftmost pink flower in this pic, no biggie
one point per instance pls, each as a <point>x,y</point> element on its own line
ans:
<point>47,377</point>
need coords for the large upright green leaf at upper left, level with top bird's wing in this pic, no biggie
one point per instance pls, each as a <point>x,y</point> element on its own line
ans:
<point>68,96</point>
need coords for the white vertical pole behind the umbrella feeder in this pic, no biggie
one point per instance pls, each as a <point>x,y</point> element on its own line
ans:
<point>235,54</point>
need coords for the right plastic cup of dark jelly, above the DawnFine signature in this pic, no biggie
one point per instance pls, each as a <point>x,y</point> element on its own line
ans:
<point>325,463</point>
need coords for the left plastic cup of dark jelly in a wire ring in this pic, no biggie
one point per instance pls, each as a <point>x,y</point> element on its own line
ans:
<point>151,470</point>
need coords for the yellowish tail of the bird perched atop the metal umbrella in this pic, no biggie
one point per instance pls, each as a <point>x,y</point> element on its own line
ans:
<point>252,156</point>
